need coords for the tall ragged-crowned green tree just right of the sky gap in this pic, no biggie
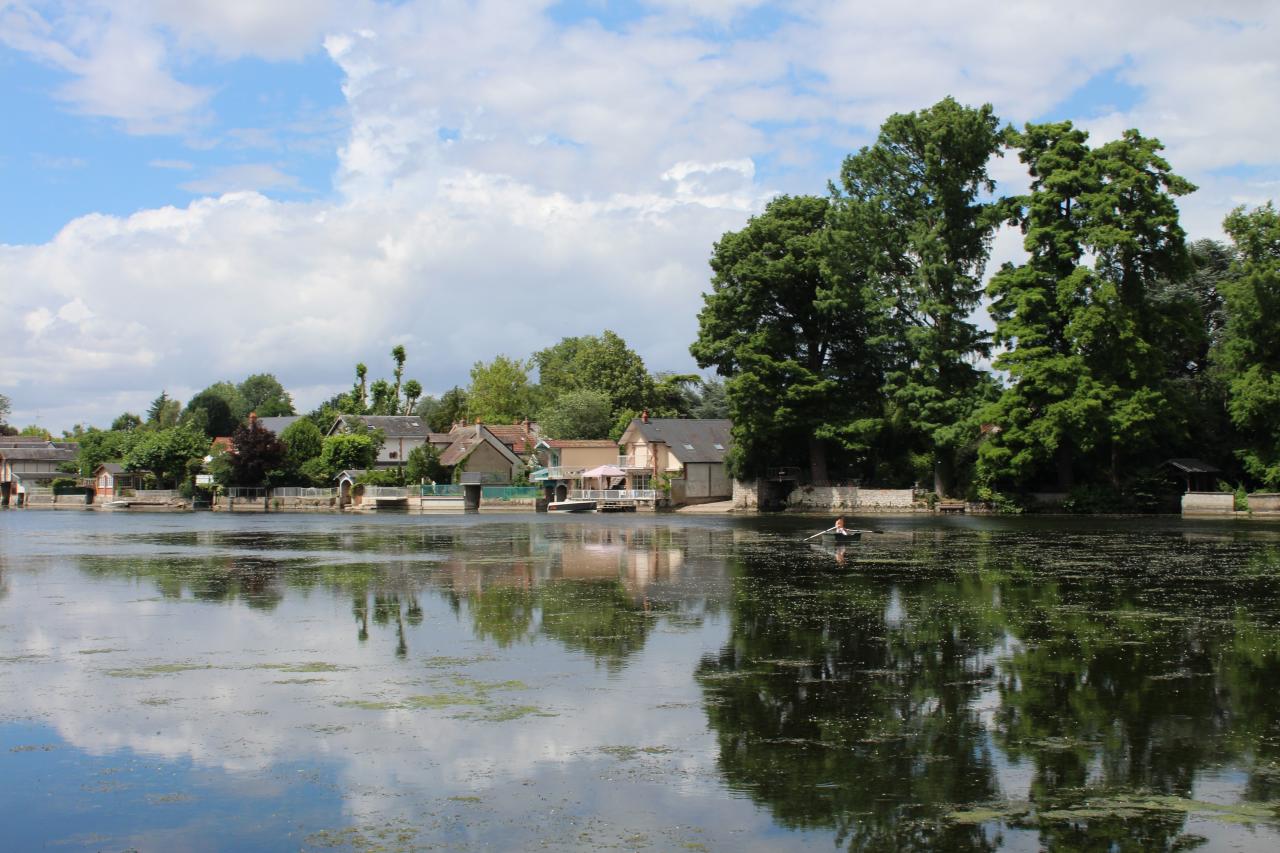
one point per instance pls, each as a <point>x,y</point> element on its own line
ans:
<point>1105,327</point>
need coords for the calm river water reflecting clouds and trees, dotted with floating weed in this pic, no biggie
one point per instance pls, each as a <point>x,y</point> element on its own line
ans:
<point>502,682</point>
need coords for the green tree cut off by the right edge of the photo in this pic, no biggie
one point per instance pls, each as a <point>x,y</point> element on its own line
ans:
<point>1250,353</point>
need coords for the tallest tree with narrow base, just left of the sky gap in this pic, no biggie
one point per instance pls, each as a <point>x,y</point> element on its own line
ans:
<point>918,197</point>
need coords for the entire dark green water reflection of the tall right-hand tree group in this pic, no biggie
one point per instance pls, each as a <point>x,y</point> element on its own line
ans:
<point>888,705</point>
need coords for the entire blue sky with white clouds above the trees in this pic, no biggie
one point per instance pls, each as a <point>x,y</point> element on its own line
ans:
<point>195,191</point>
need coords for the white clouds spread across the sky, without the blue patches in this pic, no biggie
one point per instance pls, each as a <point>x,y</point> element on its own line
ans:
<point>505,183</point>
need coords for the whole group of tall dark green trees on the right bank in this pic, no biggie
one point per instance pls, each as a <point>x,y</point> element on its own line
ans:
<point>845,326</point>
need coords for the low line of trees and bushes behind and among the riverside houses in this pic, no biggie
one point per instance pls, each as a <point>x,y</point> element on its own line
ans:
<point>587,387</point>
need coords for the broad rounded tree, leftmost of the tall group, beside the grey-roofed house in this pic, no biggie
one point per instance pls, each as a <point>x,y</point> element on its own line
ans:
<point>789,337</point>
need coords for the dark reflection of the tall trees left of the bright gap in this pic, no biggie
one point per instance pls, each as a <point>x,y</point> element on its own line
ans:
<point>852,705</point>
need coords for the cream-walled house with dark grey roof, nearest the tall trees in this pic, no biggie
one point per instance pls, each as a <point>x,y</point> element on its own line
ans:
<point>687,451</point>
